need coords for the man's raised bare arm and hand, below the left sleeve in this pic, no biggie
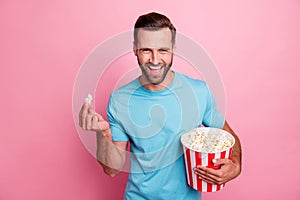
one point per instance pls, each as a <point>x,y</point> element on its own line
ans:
<point>111,155</point>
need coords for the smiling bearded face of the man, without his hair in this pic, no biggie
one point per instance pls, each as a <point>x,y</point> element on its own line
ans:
<point>154,51</point>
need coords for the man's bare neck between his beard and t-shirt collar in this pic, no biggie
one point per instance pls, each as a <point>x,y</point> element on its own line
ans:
<point>156,87</point>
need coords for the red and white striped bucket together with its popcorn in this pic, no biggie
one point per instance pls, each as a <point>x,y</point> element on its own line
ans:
<point>200,147</point>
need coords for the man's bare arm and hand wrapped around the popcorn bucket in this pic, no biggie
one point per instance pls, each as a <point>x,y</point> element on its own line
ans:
<point>229,168</point>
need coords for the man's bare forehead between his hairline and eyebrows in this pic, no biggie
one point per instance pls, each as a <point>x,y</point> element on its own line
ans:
<point>154,39</point>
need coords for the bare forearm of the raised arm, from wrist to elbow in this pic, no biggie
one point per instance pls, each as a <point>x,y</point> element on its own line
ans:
<point>109,156</point>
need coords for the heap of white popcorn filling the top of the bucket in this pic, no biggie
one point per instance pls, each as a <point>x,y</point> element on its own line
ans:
<point>208,142</point>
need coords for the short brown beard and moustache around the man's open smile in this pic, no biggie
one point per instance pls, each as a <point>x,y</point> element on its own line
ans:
<point>155,74</point>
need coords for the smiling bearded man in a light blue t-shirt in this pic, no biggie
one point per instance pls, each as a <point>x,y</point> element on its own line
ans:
<point>151,113</point>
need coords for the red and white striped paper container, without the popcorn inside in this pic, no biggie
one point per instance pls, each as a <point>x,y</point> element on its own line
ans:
<point>193,158</point>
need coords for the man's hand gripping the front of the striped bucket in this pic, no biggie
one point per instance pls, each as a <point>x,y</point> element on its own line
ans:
<point>228,171</point>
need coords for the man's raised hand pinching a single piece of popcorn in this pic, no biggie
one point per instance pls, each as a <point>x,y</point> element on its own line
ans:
<point>92,121</point>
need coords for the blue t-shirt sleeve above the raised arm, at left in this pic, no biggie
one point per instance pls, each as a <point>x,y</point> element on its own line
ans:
<point>117,131</point>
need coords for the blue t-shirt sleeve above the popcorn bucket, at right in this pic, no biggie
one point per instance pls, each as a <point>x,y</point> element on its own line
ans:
<point>212,115</point>
